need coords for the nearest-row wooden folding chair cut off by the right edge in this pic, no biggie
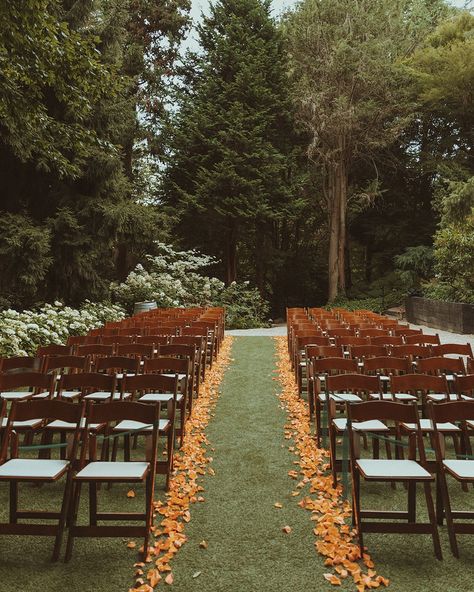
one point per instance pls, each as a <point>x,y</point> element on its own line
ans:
<point>460,468</point>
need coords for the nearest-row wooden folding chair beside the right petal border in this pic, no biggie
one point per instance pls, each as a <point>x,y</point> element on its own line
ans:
<point>391,471</point>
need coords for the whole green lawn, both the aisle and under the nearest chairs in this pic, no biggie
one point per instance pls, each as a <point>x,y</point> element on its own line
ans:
<point>246,548</point>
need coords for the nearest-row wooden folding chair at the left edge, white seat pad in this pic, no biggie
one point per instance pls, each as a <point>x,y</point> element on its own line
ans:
<point>38,470</point>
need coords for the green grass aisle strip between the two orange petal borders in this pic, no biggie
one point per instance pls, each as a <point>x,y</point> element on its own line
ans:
<point>247,550</point>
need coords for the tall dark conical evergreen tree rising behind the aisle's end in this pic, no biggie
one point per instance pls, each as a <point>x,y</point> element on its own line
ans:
<point>228,166</point>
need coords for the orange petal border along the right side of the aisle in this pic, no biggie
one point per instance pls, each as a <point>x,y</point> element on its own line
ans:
<point>331,514</point>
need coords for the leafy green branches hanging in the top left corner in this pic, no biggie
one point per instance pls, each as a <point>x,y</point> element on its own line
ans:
<point>46,67</point>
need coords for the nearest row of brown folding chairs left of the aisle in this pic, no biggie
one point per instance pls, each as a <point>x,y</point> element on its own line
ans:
<point>76,472</point>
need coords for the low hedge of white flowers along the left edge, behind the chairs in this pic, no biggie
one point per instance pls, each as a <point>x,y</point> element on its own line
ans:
<point>21,333</point>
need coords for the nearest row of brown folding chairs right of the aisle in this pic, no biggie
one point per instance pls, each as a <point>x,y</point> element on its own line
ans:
<point>459,415</point>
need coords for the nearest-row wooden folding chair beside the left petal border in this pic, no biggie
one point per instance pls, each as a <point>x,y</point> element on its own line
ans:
<point>97,472</point>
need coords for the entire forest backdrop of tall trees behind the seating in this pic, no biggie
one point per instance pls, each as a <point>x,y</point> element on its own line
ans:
<point>319,154</point>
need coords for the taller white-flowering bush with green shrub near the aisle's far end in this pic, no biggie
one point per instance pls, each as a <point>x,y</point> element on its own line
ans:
<point>178,278</point>
